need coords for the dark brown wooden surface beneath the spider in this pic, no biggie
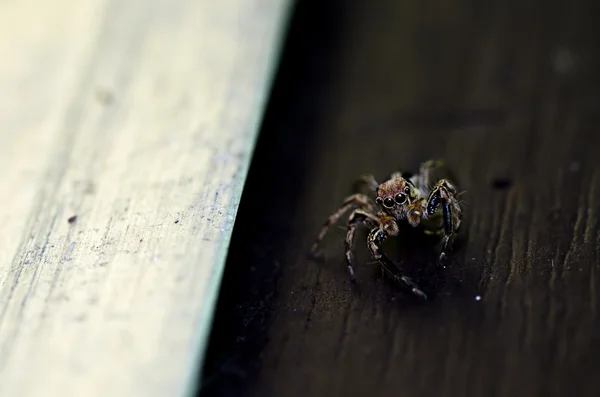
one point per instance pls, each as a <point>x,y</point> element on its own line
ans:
<point>502,91</point>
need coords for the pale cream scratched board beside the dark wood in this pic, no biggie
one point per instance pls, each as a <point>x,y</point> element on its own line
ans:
<point>126,130</point>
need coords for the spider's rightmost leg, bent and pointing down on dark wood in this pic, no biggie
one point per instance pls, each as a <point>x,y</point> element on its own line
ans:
<point>444,195</point>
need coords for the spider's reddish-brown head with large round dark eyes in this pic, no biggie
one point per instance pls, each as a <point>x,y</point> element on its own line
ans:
<point>396,195</point>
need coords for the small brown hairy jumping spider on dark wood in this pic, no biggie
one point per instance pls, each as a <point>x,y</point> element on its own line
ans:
<point>414,199</point>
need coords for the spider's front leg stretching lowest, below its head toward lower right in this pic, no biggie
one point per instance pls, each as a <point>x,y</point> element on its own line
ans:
<point>375,240</point>
